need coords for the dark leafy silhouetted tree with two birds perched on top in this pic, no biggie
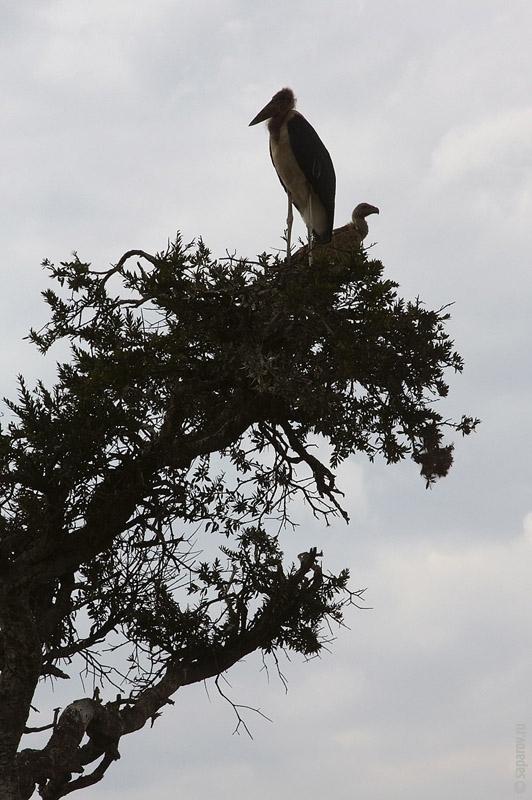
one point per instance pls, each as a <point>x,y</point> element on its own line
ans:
<point>143,495</point>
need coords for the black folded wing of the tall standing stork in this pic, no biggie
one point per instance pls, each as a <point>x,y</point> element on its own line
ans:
<point>315,162</point>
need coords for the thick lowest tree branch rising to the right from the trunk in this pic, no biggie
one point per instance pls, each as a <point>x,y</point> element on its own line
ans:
<point>64,754</point>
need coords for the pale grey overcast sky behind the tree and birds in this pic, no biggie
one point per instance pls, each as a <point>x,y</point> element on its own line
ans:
<point>124,121</point>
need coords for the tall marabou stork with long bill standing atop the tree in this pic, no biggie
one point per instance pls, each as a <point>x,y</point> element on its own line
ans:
<point>303,165</point>
